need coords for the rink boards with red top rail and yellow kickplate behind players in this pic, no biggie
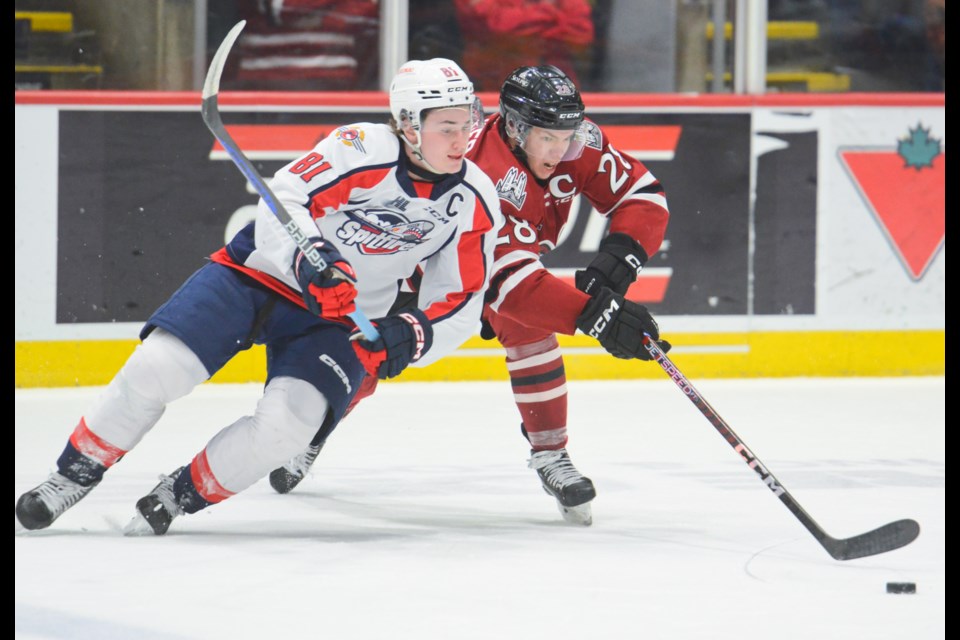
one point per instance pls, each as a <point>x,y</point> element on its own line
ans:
<point>804,235</point>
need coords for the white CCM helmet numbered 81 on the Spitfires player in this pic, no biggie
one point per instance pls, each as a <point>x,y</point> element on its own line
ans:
<point>420,85</point>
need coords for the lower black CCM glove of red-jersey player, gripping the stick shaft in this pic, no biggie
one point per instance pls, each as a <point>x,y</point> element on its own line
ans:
<point>619,325</point>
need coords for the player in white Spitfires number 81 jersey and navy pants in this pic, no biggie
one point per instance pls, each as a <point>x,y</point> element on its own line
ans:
<point>380,200</point>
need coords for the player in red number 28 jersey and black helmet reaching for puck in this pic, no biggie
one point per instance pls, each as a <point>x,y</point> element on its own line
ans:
<point>542,152</point>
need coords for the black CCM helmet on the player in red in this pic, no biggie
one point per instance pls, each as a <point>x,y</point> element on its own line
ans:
<point>542,97</point>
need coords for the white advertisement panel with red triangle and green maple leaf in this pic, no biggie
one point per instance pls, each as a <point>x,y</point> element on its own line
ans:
<point>886,170</point>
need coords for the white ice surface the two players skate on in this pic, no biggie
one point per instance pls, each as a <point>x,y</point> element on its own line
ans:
<point>420,520</point>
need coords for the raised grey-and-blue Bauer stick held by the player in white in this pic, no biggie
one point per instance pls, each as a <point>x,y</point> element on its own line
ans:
<point>211,117</point>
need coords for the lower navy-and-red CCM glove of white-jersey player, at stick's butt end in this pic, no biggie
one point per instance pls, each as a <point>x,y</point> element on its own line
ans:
<point>404,338</point>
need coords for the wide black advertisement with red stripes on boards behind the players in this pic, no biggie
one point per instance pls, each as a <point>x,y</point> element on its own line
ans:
<point>149,195</point>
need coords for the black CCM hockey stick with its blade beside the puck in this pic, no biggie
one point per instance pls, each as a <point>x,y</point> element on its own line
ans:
<point>886,538</point>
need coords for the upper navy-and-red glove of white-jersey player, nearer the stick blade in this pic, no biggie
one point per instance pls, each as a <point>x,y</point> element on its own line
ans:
<point>328,293</point>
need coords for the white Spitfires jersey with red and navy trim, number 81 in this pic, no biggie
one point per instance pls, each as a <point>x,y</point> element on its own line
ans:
<point>353,189</point>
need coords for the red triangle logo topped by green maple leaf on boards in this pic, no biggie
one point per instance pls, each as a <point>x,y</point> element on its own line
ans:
<point>904,188</point>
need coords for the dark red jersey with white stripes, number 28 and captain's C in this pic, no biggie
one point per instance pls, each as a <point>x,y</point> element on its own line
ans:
<point>535,213</point>
